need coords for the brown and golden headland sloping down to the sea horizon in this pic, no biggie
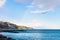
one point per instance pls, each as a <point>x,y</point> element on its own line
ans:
<point>7,25</point>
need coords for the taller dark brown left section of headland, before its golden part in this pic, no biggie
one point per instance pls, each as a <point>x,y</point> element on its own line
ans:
<point>7,25</point>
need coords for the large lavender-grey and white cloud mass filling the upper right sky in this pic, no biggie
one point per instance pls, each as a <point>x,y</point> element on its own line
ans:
<point>45,5</point>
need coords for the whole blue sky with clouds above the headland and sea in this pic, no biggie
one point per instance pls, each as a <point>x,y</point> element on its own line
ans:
<point>38,14</point>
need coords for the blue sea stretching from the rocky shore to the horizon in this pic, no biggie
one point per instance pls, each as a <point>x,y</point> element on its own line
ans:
<point>34,35</point>
